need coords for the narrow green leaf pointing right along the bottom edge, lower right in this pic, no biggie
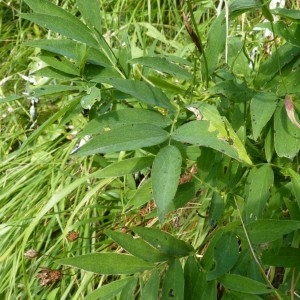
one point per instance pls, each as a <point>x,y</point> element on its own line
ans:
<point>243,284</point>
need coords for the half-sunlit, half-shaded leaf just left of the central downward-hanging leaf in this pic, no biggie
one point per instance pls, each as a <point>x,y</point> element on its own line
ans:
<point>125,167</point>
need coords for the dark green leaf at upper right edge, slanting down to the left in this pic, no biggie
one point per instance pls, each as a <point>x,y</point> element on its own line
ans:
<point>268,69</point>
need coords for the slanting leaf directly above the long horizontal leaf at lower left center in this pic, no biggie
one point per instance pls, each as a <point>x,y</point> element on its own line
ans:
<point>137,247</point>
